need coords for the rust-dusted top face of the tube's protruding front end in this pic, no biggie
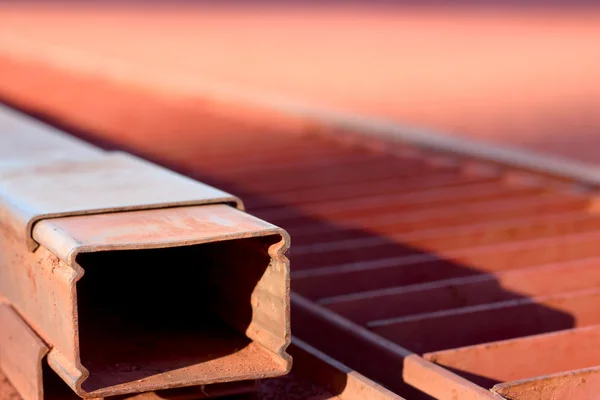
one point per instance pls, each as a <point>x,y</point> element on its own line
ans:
<point>150,229</point>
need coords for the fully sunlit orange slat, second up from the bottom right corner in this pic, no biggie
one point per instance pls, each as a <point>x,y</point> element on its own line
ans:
<point>525,357</point>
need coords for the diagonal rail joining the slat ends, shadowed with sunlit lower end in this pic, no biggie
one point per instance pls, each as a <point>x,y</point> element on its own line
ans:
<point>382,360</point>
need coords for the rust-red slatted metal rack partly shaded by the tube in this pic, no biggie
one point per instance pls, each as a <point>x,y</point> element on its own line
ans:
<point>491,252</point>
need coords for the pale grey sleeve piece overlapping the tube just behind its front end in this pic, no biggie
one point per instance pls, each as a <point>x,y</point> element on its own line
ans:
<point>115,182</point>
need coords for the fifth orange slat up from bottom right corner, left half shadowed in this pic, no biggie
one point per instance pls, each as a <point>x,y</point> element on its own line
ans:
<point>399,271</point>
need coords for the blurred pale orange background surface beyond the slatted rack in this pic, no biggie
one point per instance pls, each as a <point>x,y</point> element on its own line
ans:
<point>525,76</point>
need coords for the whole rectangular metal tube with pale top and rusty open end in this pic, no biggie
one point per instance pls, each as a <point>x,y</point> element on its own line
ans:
<point>136,278</point>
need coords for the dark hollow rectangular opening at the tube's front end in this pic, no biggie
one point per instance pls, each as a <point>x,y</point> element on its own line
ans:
<point>174,316</point>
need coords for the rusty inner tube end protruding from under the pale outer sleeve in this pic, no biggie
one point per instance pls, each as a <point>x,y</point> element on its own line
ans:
<point>48,288</point>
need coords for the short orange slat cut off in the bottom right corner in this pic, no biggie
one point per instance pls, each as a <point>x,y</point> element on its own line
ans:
<point>583,384</point>
